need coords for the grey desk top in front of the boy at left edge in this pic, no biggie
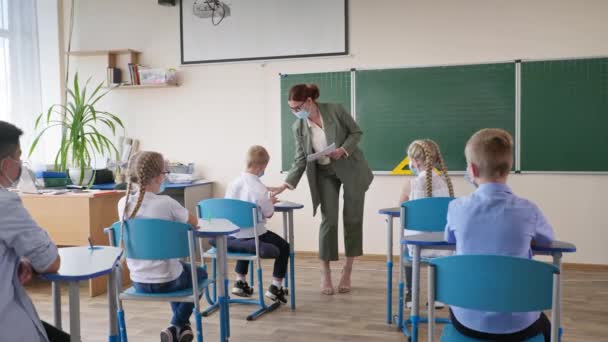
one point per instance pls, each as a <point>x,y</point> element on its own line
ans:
<point>83,263</point>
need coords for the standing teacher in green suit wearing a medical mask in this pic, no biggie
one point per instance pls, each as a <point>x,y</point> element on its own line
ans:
<point>318,126</point>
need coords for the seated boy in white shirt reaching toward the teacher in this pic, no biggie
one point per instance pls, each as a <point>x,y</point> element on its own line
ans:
<point>248,187</point>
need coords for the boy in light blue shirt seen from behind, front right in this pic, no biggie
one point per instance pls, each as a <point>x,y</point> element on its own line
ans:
<point>494,221</point>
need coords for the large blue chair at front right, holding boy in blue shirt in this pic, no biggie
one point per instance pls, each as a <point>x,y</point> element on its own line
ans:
<point>493,283</point>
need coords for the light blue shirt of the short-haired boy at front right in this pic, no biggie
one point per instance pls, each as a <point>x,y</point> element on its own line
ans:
<point>494,221</point>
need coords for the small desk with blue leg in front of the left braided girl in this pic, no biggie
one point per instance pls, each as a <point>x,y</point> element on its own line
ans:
<point>220,229</point>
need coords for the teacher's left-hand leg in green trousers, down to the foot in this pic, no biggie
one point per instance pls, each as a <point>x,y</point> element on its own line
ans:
<point>329,191</point>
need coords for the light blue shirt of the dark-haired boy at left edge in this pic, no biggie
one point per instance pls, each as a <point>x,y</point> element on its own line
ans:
<point>20,237</point>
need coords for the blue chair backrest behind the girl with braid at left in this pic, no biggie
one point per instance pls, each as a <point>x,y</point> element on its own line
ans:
<point>153,239</point>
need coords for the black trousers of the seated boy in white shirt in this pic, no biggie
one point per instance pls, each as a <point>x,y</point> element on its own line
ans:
<point>272,246</point>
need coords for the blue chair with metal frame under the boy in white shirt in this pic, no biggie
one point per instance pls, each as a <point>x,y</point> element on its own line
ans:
<point>244,215</point>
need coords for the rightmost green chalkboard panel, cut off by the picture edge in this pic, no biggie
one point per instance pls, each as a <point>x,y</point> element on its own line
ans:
<point>564,115</point>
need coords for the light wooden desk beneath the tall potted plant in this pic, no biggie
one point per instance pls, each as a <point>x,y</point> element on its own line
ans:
<point>71,218</point>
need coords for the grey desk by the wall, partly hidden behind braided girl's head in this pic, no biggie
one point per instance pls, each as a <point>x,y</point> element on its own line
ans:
<point>187,195</point>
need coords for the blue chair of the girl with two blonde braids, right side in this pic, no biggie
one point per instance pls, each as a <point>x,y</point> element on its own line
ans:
<point>427,215</point>
